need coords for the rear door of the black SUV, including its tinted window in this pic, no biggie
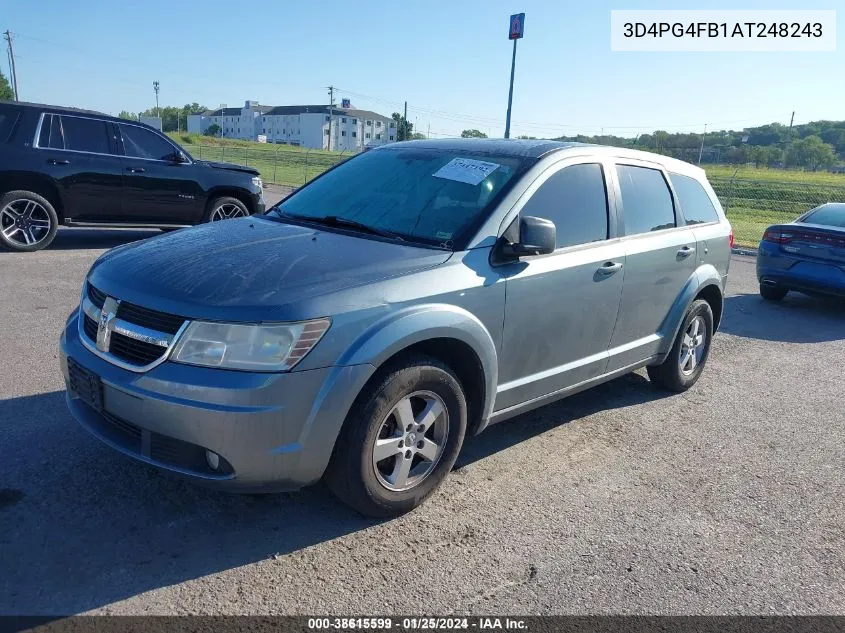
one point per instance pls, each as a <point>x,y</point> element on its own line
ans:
<point>80,153</point>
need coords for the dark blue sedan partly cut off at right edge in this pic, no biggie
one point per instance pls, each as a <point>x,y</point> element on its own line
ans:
<point>807,255</point>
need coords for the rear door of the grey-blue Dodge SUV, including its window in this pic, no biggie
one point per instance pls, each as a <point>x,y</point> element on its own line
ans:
<point>660,257</point>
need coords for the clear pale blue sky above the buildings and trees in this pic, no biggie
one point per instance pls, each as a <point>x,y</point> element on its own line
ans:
<point>450,60</point>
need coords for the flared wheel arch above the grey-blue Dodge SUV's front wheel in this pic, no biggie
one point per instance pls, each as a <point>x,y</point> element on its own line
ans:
<point>416,324</point>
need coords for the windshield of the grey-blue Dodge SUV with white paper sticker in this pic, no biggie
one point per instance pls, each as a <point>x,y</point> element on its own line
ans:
<point>434,197</point>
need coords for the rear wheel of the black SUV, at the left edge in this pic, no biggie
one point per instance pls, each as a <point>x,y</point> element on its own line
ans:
<point>39,227</point>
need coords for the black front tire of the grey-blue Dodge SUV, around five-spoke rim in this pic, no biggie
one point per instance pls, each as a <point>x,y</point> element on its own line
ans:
<point>352,475</point>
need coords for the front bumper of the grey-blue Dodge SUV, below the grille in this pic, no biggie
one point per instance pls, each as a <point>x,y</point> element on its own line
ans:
<point>272,432</point>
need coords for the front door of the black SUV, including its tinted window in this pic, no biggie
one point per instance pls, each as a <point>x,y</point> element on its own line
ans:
<point>158,189</point>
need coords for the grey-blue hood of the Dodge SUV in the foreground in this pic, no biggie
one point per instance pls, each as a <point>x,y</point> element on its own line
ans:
<point>250,269</point>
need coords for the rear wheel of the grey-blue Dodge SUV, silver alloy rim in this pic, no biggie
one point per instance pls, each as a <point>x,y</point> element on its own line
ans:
<point>685,362</point>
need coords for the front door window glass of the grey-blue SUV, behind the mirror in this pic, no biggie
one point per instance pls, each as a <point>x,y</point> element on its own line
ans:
<point>574,199</point>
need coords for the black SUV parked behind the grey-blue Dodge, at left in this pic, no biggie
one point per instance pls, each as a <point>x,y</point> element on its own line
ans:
<point>82,168</point>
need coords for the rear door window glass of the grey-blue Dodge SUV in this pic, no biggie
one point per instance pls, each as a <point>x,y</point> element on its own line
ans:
<point>646,200</point>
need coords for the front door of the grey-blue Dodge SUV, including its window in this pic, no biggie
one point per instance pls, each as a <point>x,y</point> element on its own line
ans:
<point>561,308</point>
